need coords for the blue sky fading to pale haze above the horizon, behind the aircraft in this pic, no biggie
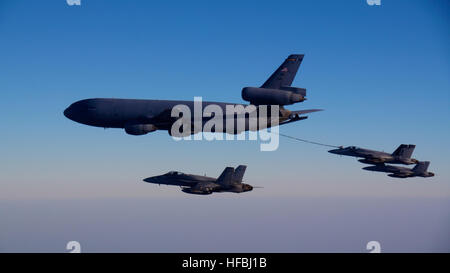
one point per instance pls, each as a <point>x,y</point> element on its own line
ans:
<point>380,72</point>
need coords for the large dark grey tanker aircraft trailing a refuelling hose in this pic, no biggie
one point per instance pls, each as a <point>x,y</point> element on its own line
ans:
<point>139,117</point>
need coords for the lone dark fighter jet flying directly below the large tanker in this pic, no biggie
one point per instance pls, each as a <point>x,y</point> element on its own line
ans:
<point>229,181</point>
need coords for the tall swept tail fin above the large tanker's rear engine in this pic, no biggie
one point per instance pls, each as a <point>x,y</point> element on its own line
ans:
<point>285,74</point>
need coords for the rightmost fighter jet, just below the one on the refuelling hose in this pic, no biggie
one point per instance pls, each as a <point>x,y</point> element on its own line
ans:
<point>401,172</point>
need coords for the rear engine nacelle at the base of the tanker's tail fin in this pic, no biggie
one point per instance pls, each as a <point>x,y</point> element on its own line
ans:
<point>267,96</point>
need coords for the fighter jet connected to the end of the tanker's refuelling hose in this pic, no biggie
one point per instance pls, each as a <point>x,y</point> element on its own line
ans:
<point>402,155</point>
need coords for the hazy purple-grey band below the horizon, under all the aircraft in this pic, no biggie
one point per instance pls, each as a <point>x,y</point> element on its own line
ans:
<point>227,223</point>
